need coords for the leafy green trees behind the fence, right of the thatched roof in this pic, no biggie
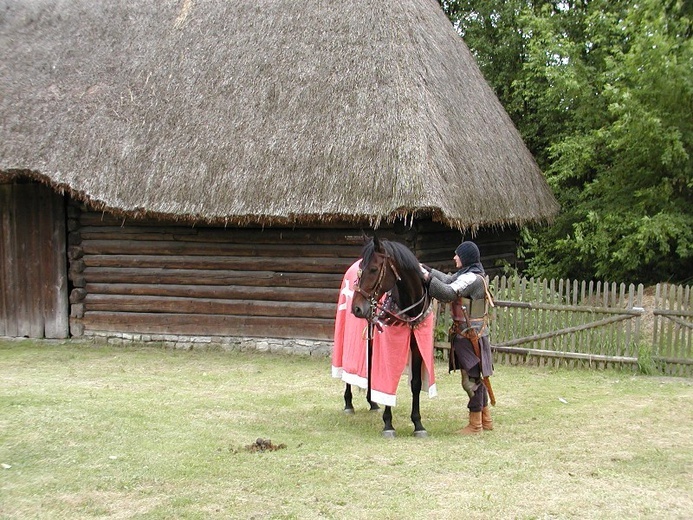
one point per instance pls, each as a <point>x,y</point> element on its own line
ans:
<point>603,95</point>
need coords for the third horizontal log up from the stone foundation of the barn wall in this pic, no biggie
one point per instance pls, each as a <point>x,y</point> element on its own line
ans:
<point>231,292</point>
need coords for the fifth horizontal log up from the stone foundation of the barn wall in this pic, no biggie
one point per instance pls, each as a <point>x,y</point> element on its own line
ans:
<point>229,263</point>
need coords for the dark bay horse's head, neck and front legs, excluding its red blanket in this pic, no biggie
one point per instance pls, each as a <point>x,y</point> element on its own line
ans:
<point>390,268</point>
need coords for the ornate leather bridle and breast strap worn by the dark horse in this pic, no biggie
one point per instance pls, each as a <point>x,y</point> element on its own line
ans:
<point>383,311</point>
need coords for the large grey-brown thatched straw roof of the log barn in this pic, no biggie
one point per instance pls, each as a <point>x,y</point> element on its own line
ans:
<point>260,111</point>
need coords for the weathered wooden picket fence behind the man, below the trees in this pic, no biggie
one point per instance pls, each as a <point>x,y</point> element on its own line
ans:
<point>588,324</point>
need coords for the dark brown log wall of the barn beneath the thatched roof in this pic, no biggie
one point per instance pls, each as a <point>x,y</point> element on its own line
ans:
<point>150,277</point>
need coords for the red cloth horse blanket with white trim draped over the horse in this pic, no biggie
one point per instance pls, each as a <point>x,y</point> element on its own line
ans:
<point>391,354</point>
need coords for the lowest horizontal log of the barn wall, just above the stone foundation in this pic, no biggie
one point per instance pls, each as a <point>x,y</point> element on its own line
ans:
<point>205,325</point>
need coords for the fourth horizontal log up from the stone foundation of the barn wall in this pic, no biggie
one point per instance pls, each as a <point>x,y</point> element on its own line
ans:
<point>202,277</point>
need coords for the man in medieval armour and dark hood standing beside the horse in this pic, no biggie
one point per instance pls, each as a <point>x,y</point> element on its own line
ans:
<point>470,352</point>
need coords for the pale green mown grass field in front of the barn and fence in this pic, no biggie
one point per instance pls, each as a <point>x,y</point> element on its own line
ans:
<point>114,432</point>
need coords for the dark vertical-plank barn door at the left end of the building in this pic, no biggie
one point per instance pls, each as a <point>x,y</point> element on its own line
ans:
<point>33,264</point>
